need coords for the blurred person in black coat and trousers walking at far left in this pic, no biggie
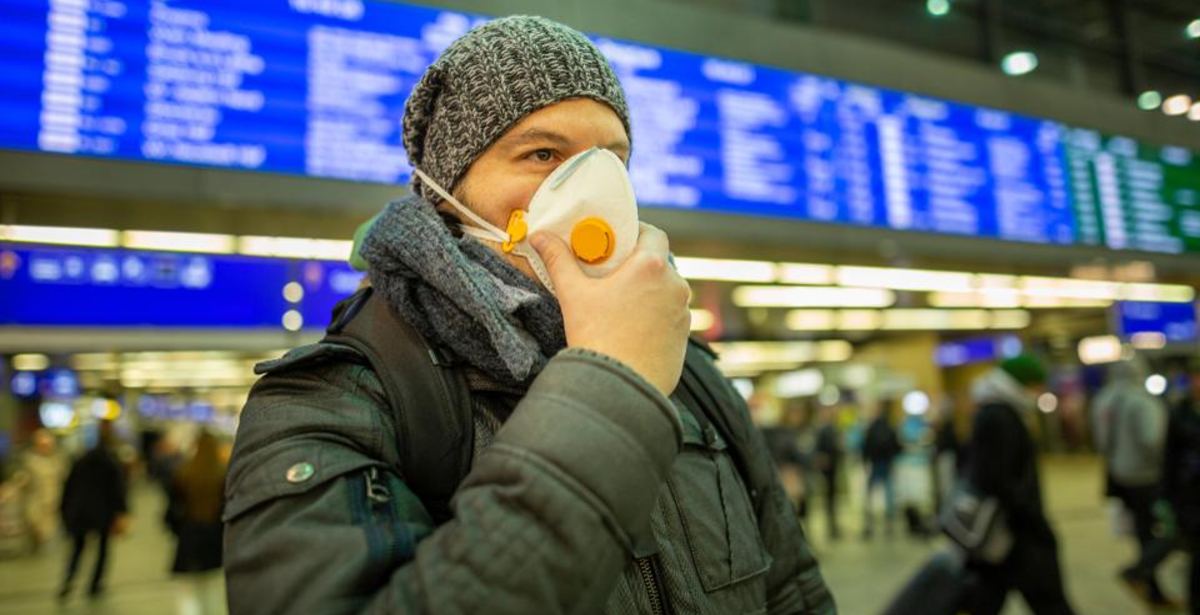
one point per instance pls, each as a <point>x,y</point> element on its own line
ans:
<point>94,503</point>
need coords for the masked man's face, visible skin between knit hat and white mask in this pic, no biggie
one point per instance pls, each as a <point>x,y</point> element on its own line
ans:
<point>505,178</point>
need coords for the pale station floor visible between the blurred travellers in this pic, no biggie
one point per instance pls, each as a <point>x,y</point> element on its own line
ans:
<point>863,575</point>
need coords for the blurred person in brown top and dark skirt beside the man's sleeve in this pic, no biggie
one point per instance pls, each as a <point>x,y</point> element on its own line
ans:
<point>197,500</point>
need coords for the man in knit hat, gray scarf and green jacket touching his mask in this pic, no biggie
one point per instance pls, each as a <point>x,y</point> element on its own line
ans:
<point>596,486</point>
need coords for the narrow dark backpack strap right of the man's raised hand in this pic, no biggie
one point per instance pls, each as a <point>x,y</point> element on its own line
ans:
<point>717,405</point>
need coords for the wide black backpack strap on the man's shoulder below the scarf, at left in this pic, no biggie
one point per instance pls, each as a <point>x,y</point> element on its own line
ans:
<point>429,397</point>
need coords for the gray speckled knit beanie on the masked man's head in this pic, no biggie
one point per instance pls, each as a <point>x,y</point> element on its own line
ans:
<point>491,79</point>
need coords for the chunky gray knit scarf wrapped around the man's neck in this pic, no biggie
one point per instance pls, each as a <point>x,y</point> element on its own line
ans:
<point>461,295</point>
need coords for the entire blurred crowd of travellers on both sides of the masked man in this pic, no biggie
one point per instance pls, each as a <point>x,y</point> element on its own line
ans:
<point>901,467</point>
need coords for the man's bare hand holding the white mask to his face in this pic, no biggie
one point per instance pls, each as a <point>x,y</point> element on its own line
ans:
<point>637,315</point>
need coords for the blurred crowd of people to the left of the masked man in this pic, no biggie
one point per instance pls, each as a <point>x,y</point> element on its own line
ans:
<point>49,493</point>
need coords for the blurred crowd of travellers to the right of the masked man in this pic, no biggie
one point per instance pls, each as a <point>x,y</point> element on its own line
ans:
<point>911,467</point>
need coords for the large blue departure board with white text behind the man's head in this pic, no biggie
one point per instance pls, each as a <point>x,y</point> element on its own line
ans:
<point>317,88</point>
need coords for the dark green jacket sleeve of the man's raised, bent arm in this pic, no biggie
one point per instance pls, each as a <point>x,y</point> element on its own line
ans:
<point>542,524</point>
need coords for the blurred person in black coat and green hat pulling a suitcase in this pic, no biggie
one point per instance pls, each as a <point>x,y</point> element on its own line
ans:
<point>1003,464</point>
